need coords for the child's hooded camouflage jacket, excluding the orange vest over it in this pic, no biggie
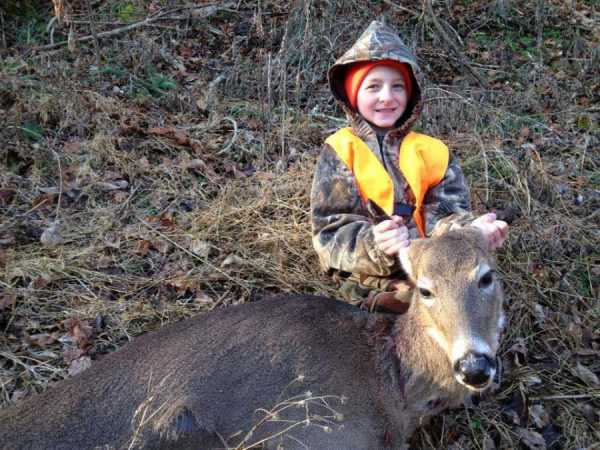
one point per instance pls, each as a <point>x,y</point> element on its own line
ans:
<point>342,229</point>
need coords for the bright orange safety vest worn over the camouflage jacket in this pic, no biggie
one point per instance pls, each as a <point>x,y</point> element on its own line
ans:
<point>423,162</point>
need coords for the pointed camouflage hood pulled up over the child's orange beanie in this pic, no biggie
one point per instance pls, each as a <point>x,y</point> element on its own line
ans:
<point>379,41</point>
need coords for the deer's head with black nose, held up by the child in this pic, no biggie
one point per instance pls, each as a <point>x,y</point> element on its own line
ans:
<point>458,299</point>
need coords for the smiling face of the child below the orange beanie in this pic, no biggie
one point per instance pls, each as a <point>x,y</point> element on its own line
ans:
<point>382,96</point>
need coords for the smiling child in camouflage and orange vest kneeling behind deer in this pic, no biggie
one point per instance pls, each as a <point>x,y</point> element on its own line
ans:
<point>378,185</point>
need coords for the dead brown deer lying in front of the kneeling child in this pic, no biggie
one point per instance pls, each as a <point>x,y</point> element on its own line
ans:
<point>293,371</point>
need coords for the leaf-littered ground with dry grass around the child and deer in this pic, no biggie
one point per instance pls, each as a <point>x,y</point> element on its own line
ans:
<point>156,159</point>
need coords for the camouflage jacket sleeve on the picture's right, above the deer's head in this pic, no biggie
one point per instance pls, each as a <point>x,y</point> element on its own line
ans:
<point>448,202</point>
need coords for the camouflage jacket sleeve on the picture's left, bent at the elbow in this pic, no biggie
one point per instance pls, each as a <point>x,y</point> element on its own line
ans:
<point>342,231</point>
